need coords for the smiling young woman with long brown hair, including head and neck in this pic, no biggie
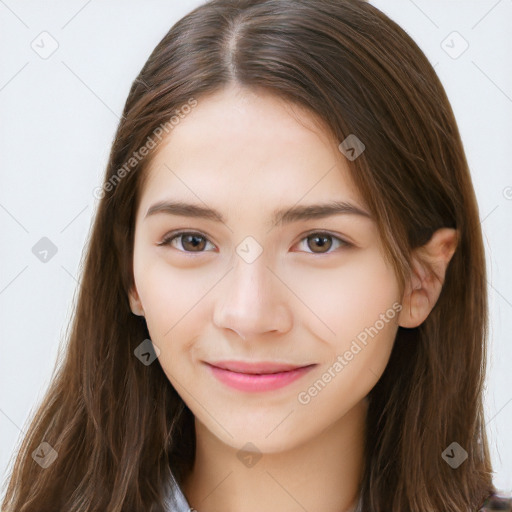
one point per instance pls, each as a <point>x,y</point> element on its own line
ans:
<point>283,304</point>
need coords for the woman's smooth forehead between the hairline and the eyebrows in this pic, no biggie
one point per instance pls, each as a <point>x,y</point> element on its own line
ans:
<point>251,150</point>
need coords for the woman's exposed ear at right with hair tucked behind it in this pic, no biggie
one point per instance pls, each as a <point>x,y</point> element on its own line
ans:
<point>424,287</point>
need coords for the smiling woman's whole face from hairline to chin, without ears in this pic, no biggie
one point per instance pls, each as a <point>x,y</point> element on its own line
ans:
<point>270,332</point>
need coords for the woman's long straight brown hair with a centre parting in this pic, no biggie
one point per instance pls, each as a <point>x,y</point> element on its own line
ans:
<point>118,426</point>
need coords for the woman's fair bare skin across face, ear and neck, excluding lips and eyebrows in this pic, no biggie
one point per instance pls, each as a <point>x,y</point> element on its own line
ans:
<point>246,154</point>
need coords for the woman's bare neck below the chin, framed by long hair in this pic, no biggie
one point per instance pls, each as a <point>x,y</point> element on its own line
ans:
<point>323,474</point>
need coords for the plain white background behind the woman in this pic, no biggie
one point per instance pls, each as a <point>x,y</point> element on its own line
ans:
<point>58,118</point>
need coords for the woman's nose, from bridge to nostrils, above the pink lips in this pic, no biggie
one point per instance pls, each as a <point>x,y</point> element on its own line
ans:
<point>253,301</point>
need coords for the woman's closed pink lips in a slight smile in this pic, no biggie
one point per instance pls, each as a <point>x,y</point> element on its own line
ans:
<point>264,376</point>
